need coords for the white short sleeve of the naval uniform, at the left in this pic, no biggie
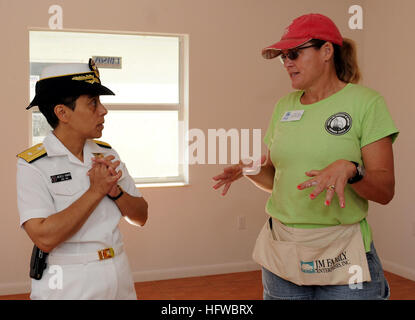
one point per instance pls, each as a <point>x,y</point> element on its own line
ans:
<point>33,197</point>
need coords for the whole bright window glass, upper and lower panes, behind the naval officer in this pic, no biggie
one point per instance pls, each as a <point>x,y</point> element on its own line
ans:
<point>147,140</point>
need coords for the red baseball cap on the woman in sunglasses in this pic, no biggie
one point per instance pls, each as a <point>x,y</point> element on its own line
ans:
<point>303,29</point>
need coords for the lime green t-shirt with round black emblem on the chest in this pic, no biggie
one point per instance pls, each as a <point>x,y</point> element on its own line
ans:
<point>334,128</point>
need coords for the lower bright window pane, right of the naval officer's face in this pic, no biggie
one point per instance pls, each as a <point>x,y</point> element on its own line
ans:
<point>147,141</point>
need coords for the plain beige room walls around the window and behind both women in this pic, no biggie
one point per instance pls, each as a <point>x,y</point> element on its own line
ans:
<point>192,230</point>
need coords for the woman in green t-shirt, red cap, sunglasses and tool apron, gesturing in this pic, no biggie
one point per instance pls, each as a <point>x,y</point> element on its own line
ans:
<point>329,152</point>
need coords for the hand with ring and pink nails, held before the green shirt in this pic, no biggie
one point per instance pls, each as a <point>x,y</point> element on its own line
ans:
<point>333,178</point>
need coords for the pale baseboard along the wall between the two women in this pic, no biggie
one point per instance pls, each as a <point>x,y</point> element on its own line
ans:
<point>194,271</point>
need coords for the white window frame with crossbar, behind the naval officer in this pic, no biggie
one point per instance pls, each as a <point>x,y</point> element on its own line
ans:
<point>182,107</point>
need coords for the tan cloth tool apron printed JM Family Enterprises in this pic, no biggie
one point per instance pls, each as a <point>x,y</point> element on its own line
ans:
<point>322,256</point>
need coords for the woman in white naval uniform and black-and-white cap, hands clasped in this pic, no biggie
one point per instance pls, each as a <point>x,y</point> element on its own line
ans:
<point>73,191</point>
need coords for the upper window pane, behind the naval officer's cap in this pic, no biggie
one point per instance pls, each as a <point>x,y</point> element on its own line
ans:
<point>150,64</point>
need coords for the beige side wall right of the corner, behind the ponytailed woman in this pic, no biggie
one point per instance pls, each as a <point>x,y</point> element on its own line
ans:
<point>389,68</point>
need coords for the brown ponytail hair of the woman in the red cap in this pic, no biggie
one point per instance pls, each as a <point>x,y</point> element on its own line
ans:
<point>345,60</point>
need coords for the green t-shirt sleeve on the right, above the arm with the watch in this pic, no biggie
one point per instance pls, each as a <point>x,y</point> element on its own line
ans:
<point>377,123</point>
